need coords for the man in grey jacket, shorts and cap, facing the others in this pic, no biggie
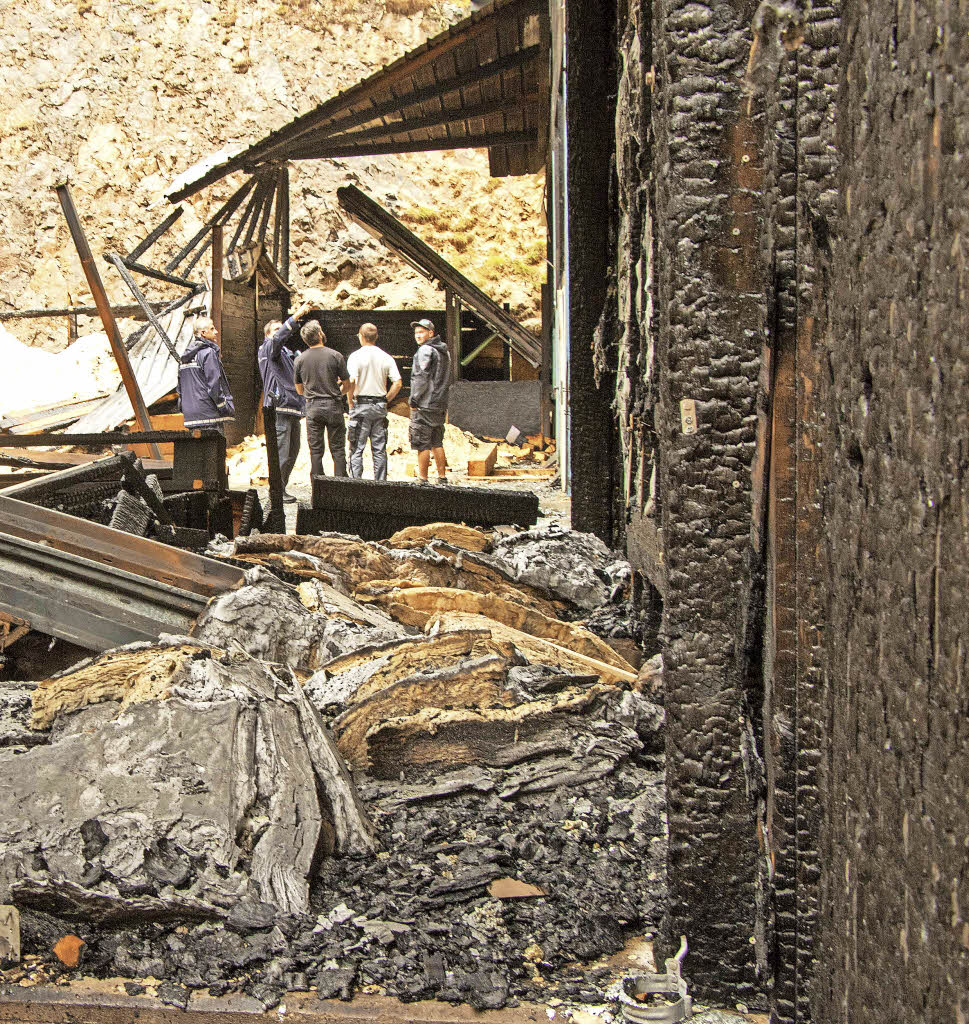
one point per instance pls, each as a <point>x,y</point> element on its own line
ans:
<point>431,382</point>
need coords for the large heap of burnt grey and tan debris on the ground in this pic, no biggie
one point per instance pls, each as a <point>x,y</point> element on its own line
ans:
<point>429,769</point>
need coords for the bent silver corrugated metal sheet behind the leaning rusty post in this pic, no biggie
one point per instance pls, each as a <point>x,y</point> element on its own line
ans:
<point>155,369</point>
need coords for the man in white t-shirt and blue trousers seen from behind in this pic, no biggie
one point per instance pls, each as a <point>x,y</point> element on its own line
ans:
<point>375,381</point>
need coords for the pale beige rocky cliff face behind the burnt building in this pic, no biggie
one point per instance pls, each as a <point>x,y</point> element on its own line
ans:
<point>121,97</point>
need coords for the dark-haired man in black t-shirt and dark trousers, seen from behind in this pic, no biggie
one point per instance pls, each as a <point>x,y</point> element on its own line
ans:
<point>322,379</point>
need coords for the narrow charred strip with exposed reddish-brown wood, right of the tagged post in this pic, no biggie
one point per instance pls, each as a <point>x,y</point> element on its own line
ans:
<point>802,201</point>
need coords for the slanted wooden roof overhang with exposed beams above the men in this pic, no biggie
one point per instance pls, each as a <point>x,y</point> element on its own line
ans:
<point>484,83</point>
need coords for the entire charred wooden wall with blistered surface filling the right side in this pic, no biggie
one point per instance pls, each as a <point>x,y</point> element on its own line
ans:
<point>787,251</point>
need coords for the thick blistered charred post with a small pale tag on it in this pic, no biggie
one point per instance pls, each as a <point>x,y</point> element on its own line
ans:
<point>709,308</point>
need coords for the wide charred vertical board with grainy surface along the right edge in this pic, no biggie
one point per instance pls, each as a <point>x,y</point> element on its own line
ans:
<point>894,933</point>
